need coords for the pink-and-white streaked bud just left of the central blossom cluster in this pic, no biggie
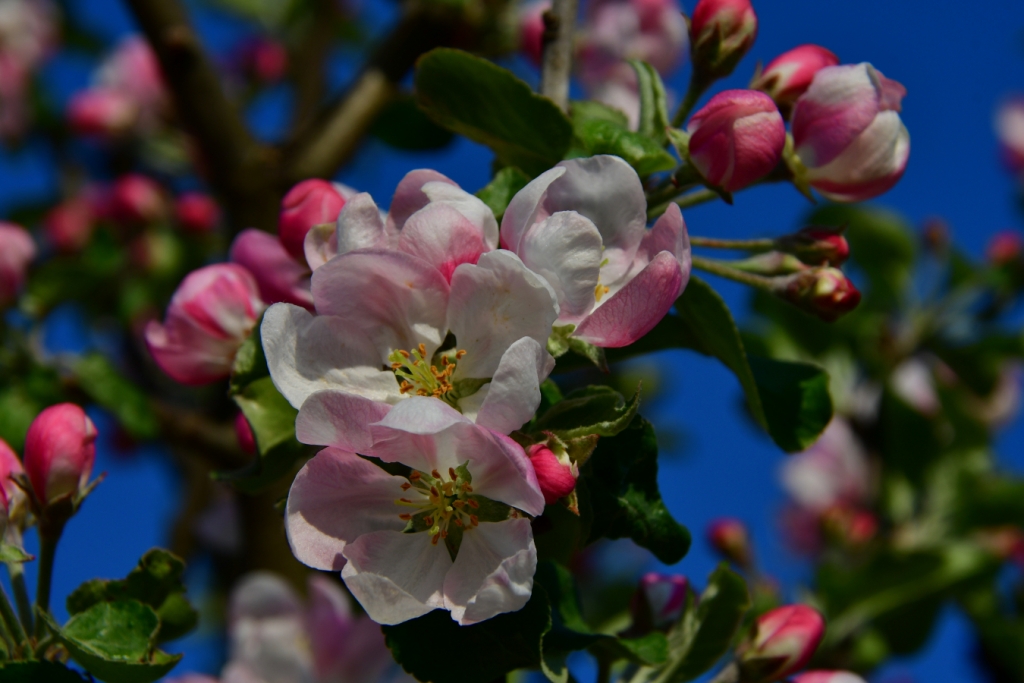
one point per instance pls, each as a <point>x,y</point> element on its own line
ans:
<point>211,314</point>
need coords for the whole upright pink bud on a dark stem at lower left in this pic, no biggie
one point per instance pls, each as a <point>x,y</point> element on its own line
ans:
<point>60,452</point>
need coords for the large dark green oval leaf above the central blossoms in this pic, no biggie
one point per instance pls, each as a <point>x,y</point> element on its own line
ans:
<point>489,105</point>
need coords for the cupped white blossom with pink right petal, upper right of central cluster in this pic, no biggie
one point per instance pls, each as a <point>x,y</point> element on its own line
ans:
<point>582,227</point>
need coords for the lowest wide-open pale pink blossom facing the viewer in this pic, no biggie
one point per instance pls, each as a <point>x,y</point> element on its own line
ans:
<point>452,535</point>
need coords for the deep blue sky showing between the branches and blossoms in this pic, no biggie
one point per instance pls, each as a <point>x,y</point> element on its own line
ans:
<point>957,63</point>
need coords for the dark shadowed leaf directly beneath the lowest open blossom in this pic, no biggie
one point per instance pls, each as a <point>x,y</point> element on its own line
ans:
<point>484,652</point>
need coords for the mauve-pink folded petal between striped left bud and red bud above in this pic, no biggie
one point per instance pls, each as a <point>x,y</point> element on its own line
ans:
<point>281,278</point>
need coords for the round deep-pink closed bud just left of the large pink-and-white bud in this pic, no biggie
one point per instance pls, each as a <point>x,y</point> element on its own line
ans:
<point>737,139</point>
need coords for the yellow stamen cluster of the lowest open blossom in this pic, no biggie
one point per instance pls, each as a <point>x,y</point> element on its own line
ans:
<point>441,503</point>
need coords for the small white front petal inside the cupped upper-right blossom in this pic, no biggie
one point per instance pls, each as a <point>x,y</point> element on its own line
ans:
<point>566,250</point>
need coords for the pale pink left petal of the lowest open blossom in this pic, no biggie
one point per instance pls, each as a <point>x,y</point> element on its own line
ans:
<point>336,498</point>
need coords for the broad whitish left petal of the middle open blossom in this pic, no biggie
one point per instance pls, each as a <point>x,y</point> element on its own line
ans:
<point>309,354</point>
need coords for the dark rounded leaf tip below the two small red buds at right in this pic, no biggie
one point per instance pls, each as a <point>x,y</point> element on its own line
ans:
<point>796,400</point>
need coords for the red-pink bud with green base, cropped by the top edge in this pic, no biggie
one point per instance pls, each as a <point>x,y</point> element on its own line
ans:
<point>721,33</point>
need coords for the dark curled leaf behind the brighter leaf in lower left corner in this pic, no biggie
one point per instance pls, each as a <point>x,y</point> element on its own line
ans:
<point>155,582</point>
